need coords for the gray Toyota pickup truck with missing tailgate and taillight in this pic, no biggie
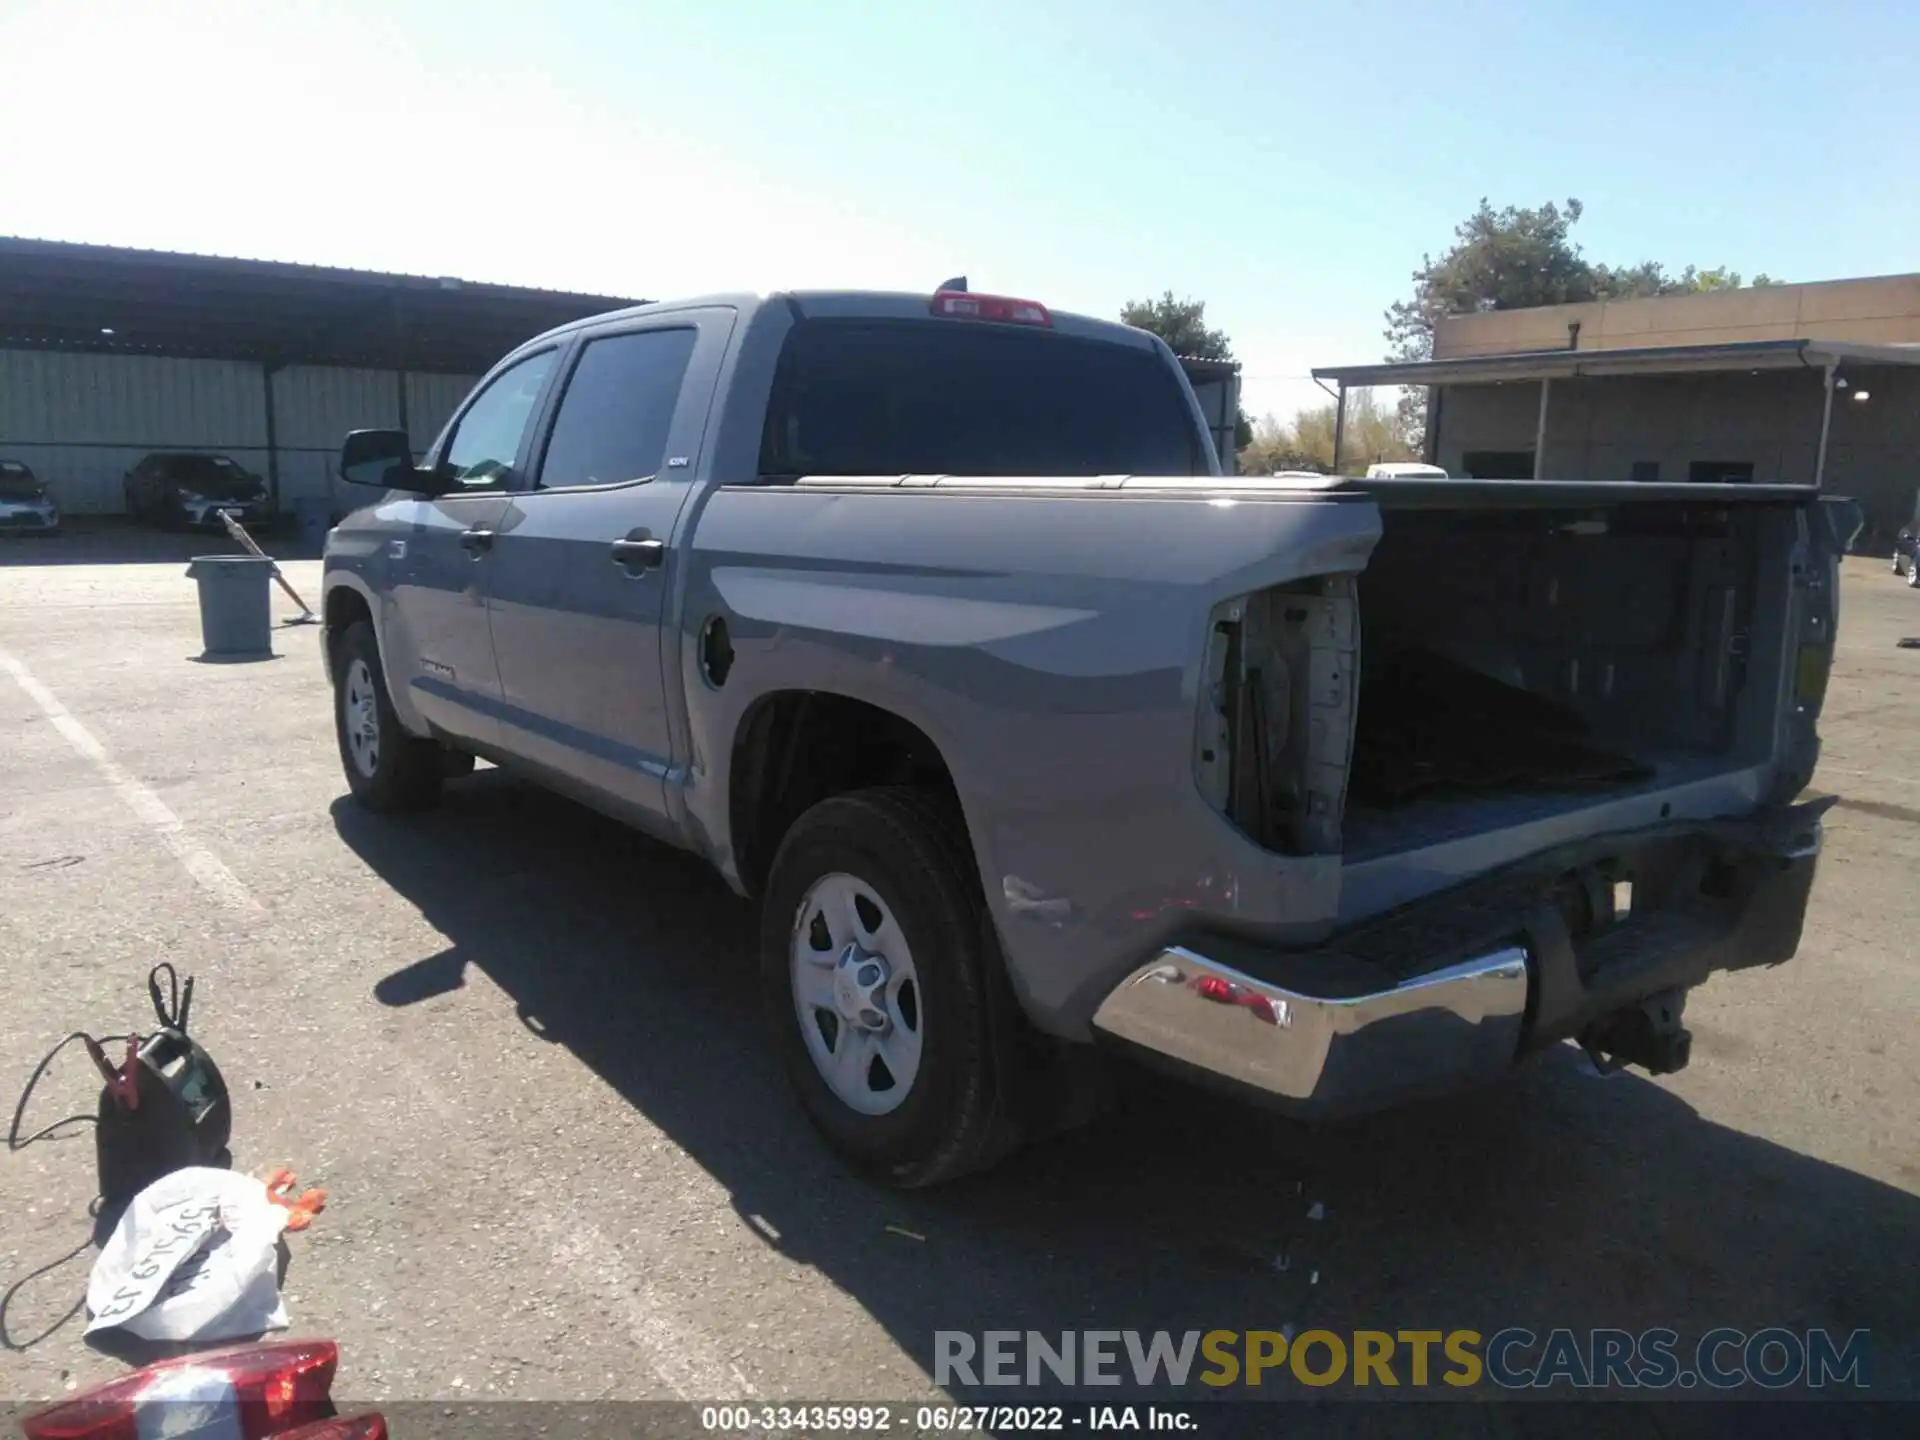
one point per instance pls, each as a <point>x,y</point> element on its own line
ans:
<point>936,629</point>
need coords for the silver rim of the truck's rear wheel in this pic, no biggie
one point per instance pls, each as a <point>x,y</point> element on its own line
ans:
<point>857,996</point>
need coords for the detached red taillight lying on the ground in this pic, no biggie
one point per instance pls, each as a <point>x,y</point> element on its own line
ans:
<point>268,1389</point>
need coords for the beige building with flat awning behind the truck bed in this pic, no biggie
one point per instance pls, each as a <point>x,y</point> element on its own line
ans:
<point>1783,385</point>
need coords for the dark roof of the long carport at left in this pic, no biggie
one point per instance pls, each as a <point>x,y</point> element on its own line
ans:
<point>151,302</point>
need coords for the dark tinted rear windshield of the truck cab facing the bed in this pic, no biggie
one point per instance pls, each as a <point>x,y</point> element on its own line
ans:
<point>965,398</point>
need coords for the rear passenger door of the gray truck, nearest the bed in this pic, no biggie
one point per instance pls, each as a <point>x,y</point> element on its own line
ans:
<point>583,567</point>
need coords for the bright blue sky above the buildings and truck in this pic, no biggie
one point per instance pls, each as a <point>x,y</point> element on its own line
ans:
<point>1289,164</point>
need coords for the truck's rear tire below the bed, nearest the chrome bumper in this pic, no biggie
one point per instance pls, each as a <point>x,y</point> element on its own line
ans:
<point>938,997</point>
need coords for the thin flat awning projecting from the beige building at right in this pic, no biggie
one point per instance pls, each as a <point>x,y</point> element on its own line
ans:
<point>1656,360</point>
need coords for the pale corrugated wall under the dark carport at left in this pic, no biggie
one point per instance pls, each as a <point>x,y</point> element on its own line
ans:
<point>84,421</point>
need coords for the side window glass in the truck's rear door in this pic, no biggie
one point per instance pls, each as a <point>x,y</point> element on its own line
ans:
<point>617,410</point>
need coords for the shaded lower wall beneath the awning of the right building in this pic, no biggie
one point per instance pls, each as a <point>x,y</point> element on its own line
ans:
<point>1600,427</point>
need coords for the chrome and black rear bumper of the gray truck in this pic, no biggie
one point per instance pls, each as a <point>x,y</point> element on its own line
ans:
<point>1456,990</point>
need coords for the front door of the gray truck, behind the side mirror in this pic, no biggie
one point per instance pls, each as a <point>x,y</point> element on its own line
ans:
<point>435,640</point>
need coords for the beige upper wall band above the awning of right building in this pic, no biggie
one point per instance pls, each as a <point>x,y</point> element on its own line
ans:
<point>1883,310</point>
